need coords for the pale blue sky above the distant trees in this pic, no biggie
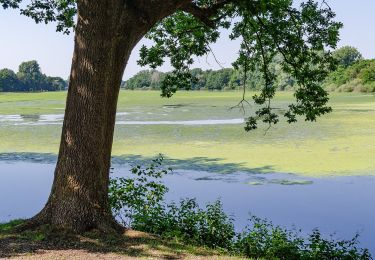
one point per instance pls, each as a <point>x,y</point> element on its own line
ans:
<point>22,40</point>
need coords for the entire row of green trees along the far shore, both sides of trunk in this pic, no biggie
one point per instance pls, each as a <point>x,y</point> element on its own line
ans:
<point>353,74</point>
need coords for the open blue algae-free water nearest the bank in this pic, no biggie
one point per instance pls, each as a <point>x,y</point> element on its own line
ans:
<point>342,205</point>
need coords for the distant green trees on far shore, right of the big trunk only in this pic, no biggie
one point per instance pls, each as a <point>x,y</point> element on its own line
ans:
<point>353,74</point>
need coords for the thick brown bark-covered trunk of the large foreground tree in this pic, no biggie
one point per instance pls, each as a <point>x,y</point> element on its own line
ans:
<point>78,200</point>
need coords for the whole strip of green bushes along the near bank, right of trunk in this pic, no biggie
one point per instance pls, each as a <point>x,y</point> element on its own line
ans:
<point>139,203</point>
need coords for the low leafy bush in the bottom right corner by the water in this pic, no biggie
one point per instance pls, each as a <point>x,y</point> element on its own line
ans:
<point>265,240</point>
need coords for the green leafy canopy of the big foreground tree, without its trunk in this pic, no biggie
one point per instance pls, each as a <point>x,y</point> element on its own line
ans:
<point>304,36</point>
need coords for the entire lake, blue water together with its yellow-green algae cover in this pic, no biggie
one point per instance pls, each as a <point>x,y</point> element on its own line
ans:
<point>310,175</point>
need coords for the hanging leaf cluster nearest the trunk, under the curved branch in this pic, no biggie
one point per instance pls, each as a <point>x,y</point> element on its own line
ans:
<point>179,37</point>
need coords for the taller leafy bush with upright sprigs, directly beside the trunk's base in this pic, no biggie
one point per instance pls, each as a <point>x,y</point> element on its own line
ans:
<point>139,203</point>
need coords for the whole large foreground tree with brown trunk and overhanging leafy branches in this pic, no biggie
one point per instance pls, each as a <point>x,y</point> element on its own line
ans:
<point>105,35</point>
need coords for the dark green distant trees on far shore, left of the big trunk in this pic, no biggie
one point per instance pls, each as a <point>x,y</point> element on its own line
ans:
<point>29,78</point>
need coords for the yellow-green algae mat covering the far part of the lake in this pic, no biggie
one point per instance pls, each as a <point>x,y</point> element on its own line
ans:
<point>341,143</point>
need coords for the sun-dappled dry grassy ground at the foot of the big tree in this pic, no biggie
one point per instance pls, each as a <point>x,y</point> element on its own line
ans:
<point>47,243</point>
